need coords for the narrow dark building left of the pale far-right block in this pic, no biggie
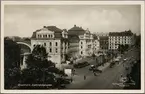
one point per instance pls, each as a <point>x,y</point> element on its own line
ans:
<point>103,43</point>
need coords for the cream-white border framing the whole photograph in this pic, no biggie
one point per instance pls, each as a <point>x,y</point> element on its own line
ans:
<point>72,3</point>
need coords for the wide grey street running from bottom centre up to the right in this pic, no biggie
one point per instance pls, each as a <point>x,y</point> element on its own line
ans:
<point>108,79</point>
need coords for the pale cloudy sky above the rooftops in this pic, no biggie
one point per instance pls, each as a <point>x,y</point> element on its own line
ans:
<point>23,20</point>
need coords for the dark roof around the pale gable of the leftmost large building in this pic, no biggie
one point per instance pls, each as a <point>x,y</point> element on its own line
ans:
<point>51,28</point>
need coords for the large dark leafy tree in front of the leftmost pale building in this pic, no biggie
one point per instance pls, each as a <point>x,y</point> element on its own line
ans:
<point>39,70</point>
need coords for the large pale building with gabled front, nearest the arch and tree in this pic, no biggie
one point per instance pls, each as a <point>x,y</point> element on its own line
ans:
<point>54,40</point>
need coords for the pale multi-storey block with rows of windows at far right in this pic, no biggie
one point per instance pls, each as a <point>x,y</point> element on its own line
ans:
<point>120,38</point>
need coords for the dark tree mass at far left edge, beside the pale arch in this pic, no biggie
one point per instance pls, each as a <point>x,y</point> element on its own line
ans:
<point>11,63</point>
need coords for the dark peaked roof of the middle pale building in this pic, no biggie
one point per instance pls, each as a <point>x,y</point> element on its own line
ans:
<point>76,31</point>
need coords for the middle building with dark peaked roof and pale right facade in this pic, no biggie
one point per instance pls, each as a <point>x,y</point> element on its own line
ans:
<point>80,42</point>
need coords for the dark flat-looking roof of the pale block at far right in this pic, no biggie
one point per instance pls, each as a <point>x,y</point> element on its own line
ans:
<point>124,33</point>
